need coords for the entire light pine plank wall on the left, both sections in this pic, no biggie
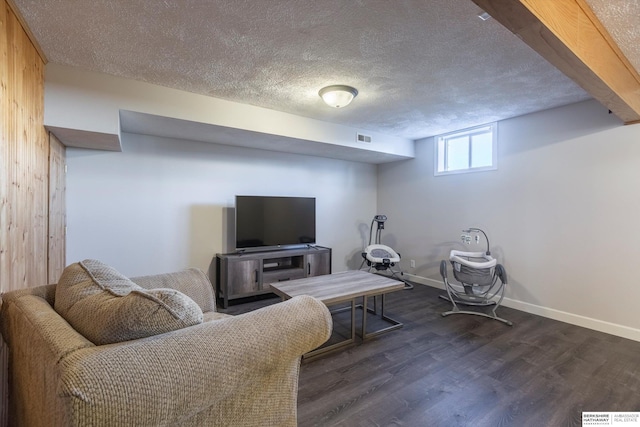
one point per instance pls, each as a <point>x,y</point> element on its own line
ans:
<point>32,206</point>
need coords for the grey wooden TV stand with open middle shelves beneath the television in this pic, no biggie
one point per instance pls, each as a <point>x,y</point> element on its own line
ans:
<point>245,274</point>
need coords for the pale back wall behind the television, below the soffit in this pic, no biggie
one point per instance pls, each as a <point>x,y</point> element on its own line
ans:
<point>161,204</point>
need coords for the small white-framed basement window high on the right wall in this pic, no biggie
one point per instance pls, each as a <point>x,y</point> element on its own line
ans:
<point>469,150</point>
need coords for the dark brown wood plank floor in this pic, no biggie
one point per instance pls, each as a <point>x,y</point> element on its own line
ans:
<point>468,371</point>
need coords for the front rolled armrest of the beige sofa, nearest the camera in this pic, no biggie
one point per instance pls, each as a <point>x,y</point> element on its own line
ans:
<point>241,370</point>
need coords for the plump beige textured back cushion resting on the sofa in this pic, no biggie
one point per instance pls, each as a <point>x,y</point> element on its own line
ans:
<point>106,307</point>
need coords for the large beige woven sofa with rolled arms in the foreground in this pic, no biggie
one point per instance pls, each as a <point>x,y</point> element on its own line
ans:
<point>225,371</point>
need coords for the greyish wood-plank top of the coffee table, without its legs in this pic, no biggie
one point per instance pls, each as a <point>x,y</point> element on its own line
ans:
<point>338,287</point>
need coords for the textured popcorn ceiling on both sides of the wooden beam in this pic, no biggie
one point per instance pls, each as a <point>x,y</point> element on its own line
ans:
<point>421,67</point>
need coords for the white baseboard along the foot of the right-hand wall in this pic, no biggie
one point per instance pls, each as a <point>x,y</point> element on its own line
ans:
<point>550,313</point>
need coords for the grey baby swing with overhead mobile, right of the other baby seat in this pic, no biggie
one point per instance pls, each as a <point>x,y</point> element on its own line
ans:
<point>482,279</point>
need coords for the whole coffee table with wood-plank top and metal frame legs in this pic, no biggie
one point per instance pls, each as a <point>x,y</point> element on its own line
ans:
<point>345,287</point>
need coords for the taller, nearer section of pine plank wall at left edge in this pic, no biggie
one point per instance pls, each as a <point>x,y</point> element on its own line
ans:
<point>25,161</point>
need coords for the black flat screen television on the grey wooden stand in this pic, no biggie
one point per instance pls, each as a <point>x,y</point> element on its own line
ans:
<point>268,222</point>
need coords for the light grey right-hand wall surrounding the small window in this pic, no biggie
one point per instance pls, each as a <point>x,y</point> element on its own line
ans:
<point>561,211</point>
